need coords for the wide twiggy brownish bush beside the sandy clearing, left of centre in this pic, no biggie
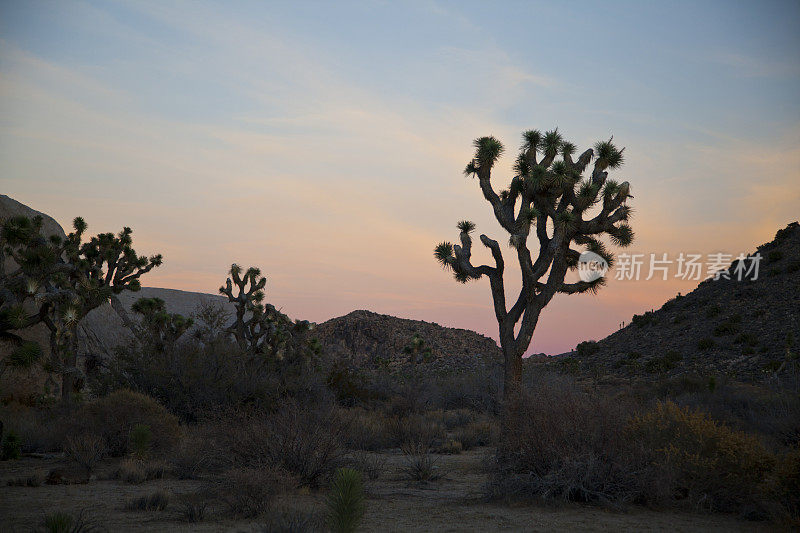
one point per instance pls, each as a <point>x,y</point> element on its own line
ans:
<point>305,442</point>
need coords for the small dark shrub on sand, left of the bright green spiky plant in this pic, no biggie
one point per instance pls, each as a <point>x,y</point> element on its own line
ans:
<point>250,492</point>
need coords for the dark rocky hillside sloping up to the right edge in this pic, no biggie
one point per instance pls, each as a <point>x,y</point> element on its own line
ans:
<point>744,329</point>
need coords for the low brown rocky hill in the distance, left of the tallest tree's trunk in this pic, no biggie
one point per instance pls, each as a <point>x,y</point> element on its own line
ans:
<point>371,339</point>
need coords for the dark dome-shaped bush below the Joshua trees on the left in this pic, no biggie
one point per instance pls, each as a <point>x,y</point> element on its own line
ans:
<point>114,416</point>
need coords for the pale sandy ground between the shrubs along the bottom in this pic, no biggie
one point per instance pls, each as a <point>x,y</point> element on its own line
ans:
<point>452,503</point>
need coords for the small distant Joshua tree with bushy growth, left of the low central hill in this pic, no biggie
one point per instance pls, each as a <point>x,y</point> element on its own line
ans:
<point>258,328</point>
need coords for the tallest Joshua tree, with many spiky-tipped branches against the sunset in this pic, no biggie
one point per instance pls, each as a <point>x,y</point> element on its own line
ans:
<point>550,196</point>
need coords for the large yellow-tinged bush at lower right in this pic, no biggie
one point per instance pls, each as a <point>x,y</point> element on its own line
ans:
<point>706,463</point>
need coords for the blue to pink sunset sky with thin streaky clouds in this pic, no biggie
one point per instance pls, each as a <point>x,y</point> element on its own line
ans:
<point>325,141</point>
